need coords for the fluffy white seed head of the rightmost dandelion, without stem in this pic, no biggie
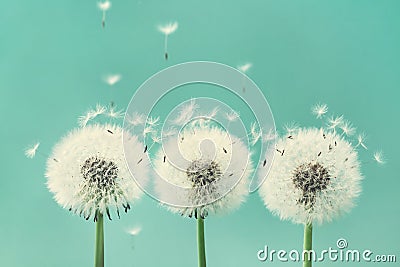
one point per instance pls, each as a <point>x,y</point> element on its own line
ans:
<point>314,177</point>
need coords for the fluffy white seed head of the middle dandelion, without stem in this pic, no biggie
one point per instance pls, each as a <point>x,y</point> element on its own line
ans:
<point>206,174</point>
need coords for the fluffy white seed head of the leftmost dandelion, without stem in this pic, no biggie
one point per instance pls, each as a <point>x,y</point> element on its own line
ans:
<point>90,177</point>
